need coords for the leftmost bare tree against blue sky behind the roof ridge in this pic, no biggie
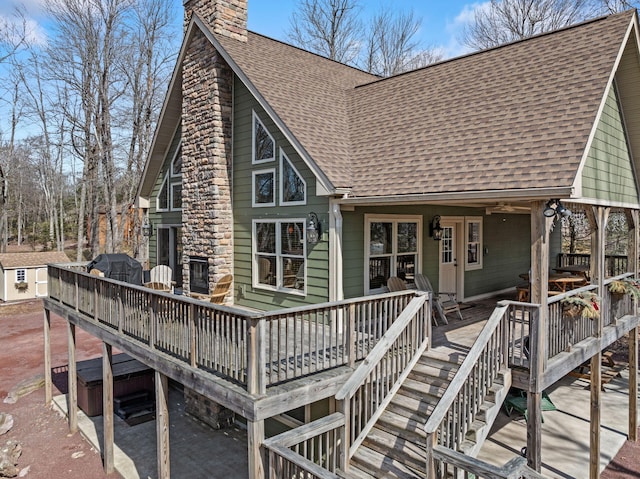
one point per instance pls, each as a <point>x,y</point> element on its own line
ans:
<point>328,27</point>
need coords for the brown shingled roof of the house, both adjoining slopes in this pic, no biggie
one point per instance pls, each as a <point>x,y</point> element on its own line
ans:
<point>513,117</point>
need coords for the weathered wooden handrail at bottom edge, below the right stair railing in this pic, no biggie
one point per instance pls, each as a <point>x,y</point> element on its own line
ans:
<point>514,468</point>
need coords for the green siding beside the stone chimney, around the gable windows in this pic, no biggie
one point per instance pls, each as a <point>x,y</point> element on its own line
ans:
<point>317,282</point>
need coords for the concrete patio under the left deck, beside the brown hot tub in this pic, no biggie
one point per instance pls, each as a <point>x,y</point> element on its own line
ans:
<point>197,451</point>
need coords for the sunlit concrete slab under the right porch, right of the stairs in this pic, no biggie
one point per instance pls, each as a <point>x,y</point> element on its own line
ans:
<point>565,432</point>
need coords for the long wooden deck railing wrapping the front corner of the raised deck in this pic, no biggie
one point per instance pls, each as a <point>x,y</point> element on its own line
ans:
<point>253,349</point>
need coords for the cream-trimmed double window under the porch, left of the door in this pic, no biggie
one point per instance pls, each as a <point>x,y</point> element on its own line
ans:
<point>392,249</point>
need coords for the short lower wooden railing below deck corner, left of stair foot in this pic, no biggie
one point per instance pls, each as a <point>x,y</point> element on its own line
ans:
<point>311,451</point>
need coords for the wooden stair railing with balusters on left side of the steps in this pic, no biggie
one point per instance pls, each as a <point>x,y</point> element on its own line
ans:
<point>373,384</point>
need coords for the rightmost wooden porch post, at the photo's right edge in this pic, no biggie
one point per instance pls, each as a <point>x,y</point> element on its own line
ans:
<point>632,265</point>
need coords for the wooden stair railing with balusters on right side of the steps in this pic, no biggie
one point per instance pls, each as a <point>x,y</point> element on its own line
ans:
<point>460,404</point>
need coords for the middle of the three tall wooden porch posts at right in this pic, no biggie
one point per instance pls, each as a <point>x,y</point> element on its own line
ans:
<point>598,242</point>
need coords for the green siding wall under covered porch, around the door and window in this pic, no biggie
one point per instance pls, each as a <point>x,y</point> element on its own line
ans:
<point>506,240</point>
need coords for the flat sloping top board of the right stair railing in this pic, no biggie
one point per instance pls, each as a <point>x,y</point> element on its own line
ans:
<point>447,399</point>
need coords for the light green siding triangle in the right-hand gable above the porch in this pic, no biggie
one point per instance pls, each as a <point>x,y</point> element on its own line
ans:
<point>608,173</point>
